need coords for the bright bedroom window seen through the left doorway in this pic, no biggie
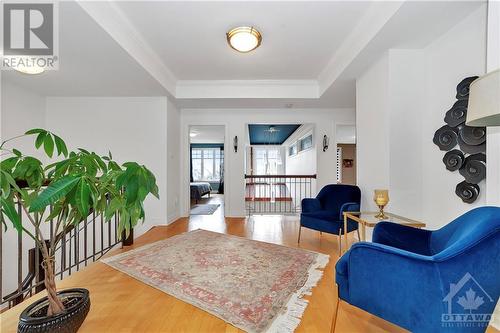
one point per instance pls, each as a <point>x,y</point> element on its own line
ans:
<point>206,164</point>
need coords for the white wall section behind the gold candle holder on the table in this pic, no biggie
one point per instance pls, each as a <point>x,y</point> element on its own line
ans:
<point>389,100</point>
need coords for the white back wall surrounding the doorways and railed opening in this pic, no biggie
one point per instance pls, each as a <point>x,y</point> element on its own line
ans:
<point>235,122</point>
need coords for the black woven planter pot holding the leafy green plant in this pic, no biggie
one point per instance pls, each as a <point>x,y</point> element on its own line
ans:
<point>34,319</point>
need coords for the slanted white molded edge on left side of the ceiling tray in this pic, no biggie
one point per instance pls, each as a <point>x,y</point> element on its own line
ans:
<point>118,26</point>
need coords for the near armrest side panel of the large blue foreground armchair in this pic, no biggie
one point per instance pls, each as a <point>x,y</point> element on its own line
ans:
<point>397,285</point>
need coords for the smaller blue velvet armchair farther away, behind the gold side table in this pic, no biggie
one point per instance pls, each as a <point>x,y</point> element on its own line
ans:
<point>325,212</point>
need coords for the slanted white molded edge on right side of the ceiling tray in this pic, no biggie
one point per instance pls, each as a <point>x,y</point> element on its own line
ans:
<point>368,27</point>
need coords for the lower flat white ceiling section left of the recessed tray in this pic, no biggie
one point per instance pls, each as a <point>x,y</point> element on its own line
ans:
<point>91,63</point>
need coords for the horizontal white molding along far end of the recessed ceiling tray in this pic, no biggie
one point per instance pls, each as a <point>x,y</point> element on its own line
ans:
<point>247,89</point>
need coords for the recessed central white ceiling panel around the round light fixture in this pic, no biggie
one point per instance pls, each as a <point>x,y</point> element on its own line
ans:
<point>299,38</point>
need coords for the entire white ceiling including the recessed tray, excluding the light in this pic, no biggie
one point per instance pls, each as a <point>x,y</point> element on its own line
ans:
<point>311,54</point>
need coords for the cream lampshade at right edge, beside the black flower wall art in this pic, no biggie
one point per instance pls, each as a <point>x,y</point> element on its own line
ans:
<point>484,101</point>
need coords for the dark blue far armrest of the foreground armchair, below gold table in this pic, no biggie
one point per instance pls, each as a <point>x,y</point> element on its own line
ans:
<point>402,237</point>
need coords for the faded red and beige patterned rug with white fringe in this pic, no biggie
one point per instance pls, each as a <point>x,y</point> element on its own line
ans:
<point>255,286</point>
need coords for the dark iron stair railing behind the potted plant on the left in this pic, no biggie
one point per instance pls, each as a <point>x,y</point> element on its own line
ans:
<point>79,246</point>
